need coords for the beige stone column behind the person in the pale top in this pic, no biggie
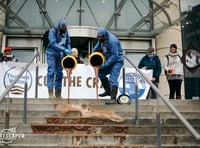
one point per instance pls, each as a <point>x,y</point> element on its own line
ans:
<point>165,38</point>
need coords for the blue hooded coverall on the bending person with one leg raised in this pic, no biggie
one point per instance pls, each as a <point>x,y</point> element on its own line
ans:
<point>113,52</point>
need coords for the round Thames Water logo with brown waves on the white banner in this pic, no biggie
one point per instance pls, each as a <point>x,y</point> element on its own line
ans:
<point>10,76</point>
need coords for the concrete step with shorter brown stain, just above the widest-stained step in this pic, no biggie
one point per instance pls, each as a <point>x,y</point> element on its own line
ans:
<point>128,121</point>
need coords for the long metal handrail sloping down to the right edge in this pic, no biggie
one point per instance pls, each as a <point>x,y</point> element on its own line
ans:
<point>168,103</point>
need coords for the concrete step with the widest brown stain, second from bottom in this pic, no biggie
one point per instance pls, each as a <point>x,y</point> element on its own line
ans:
<point>101,129</point>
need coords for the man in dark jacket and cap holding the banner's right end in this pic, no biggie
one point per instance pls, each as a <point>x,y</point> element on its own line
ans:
<point>151,61</point>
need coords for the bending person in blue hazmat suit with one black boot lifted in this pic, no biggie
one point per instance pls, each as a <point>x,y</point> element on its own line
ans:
<point>111,47</point>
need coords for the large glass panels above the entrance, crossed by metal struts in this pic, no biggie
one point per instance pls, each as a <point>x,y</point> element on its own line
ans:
<point>112,14</point>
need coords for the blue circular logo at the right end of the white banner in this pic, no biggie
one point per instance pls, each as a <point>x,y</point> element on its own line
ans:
<point>130,81</point>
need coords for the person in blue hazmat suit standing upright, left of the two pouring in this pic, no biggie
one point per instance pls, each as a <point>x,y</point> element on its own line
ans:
<point>58,47</point>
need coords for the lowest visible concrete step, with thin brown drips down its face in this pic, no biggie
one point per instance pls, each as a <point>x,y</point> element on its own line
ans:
<point>94,139</point>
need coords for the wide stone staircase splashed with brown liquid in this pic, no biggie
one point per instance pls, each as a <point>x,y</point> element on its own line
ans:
<point>47,128</point>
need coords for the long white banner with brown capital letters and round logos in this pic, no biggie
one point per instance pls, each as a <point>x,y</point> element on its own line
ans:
<point>82,82</point>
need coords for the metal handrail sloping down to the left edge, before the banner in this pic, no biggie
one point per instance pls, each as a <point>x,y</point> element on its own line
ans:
<point>2,97</point>
